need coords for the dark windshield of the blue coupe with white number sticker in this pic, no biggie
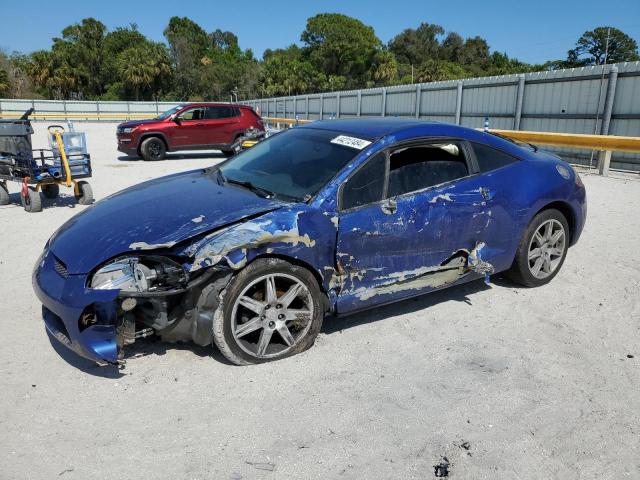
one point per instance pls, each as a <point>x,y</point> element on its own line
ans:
<point>294,164</point>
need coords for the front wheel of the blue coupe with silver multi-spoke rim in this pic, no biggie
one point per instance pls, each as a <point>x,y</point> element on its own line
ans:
<point>266,319</point>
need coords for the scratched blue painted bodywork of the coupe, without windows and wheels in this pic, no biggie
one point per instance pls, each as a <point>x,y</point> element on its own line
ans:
<point>362,257</point>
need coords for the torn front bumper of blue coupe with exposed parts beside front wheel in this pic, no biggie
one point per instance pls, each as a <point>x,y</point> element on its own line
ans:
<point>98,324</point>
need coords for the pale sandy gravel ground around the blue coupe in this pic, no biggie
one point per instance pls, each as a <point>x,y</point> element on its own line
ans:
<point>505,382</point>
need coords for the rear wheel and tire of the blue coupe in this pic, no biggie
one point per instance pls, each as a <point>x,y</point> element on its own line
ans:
<point>542,253</point>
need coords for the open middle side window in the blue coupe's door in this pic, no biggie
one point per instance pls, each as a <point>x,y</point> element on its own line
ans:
<point>422,166</point>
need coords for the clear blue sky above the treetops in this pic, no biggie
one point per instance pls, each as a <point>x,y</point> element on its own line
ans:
<point>532,31</point>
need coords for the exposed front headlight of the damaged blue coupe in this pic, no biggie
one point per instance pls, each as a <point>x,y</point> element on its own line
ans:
<point>139,274</point>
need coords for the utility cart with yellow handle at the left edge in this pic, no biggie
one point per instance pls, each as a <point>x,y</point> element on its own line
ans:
<point>43,170</point>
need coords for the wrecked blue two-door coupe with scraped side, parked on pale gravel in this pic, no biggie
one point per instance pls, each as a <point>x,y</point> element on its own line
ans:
<point>336,216</point>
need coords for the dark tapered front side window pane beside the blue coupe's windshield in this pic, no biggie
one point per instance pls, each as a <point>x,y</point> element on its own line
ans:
<point>366,185</point>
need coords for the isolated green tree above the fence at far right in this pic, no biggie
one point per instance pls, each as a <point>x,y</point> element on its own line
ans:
<point>591,47</point>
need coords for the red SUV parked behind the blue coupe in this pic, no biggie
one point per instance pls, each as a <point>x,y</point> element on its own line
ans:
<point>195,126</point>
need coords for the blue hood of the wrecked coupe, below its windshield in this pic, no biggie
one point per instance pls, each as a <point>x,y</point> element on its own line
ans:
<point>154,215</point>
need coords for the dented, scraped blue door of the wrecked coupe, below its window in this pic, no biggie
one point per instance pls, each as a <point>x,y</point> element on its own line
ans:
<point>424,245</point>
